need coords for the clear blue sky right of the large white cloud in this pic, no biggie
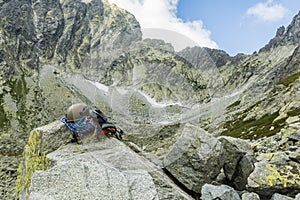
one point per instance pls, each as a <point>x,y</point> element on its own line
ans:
<point>231,27</point>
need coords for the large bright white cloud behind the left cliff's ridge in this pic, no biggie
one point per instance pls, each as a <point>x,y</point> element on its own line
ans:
<point>158,20</point>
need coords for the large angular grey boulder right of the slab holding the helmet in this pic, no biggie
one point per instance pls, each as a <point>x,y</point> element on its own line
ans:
<point>195,158</point>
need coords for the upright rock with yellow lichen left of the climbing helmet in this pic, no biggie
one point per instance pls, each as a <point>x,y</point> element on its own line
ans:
<point>42,141</point>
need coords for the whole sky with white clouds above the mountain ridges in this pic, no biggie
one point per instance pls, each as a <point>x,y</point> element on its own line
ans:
<point>235,26</point>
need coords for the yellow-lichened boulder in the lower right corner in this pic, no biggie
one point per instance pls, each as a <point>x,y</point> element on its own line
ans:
<point>275,173</point>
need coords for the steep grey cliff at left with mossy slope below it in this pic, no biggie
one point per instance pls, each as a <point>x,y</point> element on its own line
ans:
<point>37,37</point>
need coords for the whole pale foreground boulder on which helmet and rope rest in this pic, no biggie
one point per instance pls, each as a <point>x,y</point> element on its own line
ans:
<point>105,169</point>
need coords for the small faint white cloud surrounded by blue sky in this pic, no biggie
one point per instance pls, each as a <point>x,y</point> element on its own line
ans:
<point>267,12</point>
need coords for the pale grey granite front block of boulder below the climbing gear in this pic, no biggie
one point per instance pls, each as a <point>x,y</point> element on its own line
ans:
<point>88,176</point>
